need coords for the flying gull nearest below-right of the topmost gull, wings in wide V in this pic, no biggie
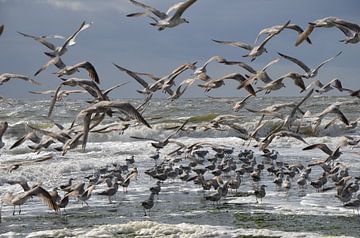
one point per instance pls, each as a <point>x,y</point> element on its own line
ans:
<point>254,51</point>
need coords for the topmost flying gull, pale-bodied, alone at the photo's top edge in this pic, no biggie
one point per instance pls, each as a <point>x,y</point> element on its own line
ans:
<point>164,20</point>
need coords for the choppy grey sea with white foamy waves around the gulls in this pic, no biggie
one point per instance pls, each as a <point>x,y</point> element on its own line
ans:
<point>180,210</point>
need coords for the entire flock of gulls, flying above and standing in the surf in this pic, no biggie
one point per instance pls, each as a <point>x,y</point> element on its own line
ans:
<point>197,161</point>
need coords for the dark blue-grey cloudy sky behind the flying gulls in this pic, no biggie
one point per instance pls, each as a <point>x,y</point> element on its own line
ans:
<point>136,45</point>
